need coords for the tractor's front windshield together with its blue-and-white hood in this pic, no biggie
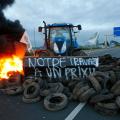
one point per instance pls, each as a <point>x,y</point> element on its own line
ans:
<point>59,39</point>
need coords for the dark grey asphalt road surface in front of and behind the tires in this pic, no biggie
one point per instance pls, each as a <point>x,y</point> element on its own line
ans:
<point>12,107</point>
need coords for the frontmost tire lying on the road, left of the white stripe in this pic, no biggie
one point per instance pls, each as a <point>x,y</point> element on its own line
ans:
<point>55,102</point>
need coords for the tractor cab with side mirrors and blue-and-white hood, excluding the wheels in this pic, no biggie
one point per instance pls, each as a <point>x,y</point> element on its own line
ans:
<point>60,38</point>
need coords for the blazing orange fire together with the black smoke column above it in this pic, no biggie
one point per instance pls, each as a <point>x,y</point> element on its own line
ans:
<point>12,50</point>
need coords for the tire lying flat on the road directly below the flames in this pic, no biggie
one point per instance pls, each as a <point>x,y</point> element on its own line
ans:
<point>14,90</point>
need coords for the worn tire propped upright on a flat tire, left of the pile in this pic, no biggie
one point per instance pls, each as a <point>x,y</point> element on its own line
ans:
<point>32,90</point>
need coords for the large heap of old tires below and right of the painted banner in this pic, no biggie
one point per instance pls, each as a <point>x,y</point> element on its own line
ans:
<point>100,89</point>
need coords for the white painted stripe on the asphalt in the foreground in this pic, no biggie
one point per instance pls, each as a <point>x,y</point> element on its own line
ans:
<point>72,115</point>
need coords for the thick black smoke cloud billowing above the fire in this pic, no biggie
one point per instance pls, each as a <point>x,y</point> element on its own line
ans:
<point>13,28</point>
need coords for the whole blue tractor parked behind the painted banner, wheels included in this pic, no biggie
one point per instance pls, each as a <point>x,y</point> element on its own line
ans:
<point>60,40</point>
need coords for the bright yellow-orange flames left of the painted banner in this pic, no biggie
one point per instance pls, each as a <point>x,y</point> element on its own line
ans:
<point>9,66</point>
